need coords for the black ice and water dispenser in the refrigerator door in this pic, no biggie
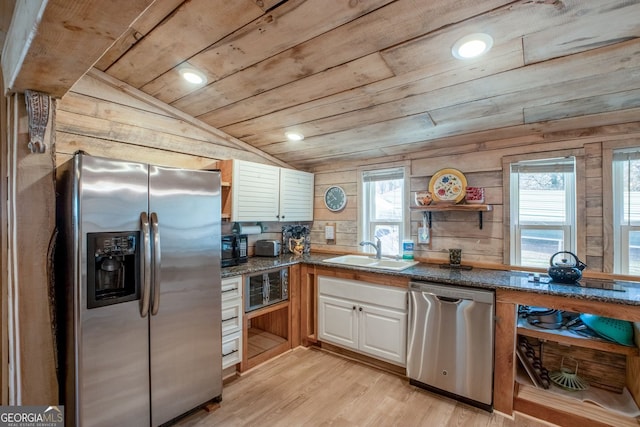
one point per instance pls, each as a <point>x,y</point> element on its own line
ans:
<point>112,268</point>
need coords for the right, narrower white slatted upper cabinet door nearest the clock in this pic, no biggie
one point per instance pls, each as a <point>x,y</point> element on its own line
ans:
<point>296,195</point>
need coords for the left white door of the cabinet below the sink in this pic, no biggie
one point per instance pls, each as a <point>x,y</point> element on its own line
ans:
<point>338,321</point>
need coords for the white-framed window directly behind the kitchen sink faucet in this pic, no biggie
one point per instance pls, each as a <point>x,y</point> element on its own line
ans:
<point>384,209</point>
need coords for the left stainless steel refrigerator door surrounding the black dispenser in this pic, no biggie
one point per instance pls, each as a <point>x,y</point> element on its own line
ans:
<point>111,385</point>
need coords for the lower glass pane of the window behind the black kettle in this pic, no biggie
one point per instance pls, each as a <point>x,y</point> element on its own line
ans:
<point>537,246</point>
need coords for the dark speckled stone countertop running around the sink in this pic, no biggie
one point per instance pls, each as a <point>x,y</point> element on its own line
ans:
<point>476,278</point>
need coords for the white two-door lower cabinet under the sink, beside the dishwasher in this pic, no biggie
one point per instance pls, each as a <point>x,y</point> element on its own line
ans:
<point>365,317</point>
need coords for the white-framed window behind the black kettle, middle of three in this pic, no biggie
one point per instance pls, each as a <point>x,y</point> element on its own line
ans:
<point>543,214</point>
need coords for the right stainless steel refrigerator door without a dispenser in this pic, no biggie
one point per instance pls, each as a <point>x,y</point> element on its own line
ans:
<point>185,331</point>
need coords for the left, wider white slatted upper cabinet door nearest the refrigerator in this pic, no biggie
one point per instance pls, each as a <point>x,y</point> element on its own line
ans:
<point>255,192</point>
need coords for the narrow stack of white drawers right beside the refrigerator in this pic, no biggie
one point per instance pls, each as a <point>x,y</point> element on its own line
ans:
<point>231,321</point>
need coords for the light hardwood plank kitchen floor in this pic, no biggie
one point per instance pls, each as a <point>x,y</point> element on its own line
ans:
<point>311,387</point>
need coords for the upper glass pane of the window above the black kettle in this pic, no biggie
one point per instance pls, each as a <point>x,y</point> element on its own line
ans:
<point>542,198</point>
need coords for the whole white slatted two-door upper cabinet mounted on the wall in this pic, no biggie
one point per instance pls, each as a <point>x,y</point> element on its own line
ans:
<point>262,192</point>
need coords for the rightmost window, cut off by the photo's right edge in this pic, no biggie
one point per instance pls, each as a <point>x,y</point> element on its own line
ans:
<point>626,211</point>
